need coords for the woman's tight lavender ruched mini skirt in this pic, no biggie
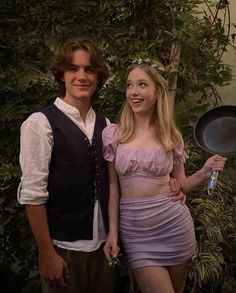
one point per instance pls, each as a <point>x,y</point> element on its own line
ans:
<point>156,231</point>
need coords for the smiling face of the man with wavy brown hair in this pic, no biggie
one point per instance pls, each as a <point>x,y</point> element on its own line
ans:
<point>81,79</point>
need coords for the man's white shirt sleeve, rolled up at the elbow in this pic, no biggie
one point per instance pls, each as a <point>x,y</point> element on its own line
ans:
<point>35,156</point>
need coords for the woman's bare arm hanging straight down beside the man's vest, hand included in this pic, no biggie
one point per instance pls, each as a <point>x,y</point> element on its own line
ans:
<point>111,248</point>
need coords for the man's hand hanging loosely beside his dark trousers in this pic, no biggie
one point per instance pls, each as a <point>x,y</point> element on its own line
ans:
<point>55,270</point>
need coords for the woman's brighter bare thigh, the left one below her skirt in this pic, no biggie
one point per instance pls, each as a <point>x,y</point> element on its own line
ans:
<point>153,279</point>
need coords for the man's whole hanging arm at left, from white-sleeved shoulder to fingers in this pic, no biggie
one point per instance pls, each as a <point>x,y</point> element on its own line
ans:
<point>35,155</point>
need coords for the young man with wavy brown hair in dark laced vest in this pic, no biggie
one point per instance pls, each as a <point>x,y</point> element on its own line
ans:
<point>64,183</point>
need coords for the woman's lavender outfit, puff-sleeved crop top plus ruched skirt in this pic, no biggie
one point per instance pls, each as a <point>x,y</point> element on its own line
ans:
<point>155,230</point>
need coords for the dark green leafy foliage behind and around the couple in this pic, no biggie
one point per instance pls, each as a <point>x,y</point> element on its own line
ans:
<point>30,34</point>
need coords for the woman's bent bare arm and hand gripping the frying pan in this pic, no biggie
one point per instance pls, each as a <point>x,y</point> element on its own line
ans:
<point>214,163</point>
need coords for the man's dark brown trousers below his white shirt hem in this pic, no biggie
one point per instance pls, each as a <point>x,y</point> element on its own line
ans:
<point>89,273</point>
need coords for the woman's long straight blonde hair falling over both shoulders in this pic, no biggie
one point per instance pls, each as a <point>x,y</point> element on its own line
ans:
<point>162,117</point>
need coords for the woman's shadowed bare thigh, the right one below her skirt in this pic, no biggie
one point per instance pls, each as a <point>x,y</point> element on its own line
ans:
<point>178,276</point>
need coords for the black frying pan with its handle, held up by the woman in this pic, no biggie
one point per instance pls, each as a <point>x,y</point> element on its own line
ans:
<point>215,132</point>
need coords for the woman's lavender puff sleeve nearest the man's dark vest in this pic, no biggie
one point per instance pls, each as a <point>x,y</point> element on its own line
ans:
<point>109,138</point>
